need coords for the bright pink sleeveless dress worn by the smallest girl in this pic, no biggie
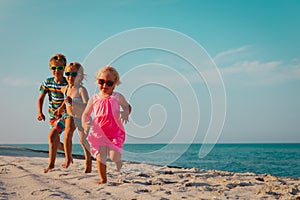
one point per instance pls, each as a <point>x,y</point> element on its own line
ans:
<point>107,128</point>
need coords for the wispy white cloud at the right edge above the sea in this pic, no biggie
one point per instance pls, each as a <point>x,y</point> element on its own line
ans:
<point>244,71</point>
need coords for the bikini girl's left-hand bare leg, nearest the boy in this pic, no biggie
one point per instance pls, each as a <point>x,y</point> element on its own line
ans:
<point>68,135</point>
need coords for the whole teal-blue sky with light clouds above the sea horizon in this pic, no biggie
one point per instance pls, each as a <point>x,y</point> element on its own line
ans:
<point>194,71</point>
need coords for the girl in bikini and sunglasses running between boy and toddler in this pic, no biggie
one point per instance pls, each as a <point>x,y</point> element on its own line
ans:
<point>76,98</point>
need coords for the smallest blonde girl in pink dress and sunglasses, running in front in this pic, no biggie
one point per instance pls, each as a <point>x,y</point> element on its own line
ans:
<point>107,135</point>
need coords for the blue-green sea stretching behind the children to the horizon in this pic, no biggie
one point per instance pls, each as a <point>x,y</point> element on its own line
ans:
<point>279,159</point>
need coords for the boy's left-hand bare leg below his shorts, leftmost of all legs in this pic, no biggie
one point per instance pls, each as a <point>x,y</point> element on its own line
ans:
<point>53,139</point>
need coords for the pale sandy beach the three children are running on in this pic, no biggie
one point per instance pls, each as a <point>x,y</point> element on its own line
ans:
<point>22,177</point>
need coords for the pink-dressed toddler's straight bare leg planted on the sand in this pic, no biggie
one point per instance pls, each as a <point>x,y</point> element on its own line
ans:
<point>101,165</point>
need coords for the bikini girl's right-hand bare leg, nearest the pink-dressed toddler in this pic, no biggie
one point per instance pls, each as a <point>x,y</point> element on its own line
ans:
<point>85,146</point>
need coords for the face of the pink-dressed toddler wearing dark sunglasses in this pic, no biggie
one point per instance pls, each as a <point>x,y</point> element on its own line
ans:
<point>106,82</point>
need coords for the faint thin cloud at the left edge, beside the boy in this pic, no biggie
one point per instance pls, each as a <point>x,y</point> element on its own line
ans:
<point>17,82</point>
